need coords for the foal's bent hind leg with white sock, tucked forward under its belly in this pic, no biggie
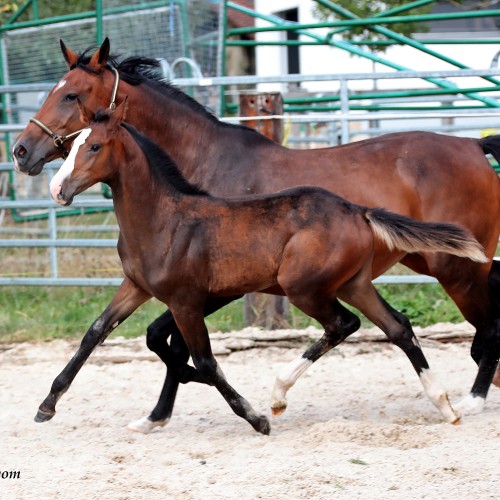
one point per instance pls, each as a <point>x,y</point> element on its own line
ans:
<point>338,323</point>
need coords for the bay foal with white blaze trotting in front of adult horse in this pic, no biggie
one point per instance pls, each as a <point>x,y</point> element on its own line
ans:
<point>181,245</point>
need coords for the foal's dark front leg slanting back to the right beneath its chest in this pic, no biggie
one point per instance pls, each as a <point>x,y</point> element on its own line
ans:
<point>195,333</point>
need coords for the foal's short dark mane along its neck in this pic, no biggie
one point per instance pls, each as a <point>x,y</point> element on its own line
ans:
<point>163,168</point>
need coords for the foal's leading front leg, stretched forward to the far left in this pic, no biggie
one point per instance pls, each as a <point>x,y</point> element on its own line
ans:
<point>126,300</point>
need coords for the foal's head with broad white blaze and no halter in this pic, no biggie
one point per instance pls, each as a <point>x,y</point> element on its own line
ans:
<point>89,160</point>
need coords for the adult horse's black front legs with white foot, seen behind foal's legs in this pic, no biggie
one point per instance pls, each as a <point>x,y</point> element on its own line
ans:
<point>175,358</point>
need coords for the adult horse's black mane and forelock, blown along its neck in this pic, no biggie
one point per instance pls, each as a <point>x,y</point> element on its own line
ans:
<point>140,70</point>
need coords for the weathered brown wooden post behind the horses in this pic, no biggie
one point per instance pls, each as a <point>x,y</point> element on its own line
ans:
<point>264,310</point>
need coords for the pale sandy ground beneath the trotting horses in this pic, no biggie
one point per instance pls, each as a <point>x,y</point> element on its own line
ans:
<point>357,426</point>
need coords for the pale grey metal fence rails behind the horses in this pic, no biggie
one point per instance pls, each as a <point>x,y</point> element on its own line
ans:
<point>340,128</point>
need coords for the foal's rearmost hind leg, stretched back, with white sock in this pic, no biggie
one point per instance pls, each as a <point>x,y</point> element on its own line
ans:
<point>362,295</point>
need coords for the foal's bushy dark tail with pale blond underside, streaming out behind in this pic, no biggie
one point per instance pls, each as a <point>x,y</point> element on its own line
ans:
<point>412,236</point>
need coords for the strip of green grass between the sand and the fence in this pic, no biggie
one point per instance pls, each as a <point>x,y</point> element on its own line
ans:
<point>42,313</point>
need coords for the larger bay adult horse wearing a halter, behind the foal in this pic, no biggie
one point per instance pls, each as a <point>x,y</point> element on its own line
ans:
<point>427,176</point>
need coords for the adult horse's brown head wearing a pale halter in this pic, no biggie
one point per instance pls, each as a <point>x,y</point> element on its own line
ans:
<point>49,133</point>
